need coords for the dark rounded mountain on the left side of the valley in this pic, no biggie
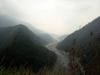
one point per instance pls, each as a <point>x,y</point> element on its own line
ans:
<point>19,46</point>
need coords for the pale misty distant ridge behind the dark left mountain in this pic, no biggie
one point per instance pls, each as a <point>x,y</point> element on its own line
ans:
<point>6,21</point>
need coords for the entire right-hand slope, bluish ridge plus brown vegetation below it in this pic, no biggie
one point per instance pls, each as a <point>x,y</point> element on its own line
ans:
<point>83,47</point>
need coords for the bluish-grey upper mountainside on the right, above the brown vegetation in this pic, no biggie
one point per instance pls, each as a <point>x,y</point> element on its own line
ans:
<point>81,36</point>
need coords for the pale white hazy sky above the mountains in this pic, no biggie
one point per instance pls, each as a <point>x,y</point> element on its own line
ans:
<point>54,16</point>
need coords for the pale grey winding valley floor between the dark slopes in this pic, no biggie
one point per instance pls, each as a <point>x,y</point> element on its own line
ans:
<point>62,57</point>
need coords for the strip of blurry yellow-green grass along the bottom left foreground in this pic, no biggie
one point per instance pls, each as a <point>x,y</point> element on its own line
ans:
<point>28,71</point>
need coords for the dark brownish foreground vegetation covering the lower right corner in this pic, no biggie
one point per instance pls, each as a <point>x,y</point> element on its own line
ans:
<point>85,60</point>
